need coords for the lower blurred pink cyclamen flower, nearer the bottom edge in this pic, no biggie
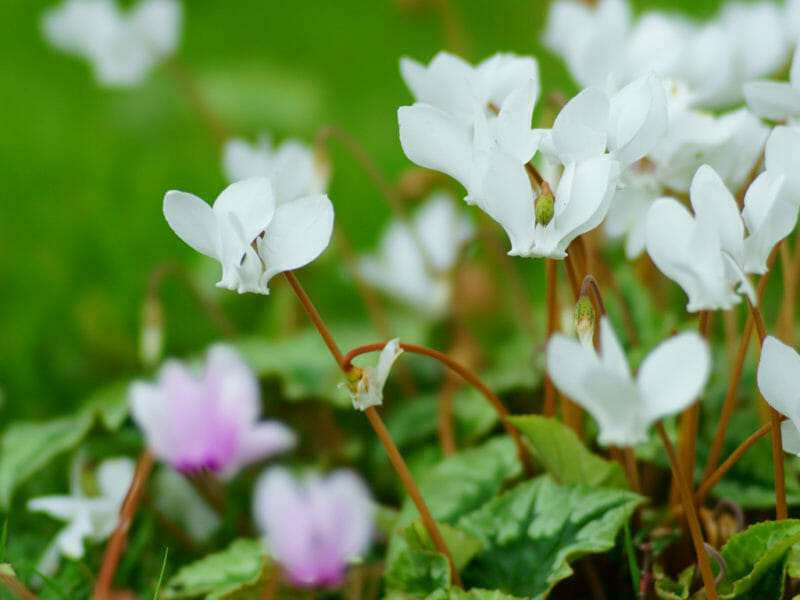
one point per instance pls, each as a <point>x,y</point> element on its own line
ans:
<point>315,526</point>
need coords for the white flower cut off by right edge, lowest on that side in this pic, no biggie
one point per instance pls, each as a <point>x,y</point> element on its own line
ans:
<point>778,379</point>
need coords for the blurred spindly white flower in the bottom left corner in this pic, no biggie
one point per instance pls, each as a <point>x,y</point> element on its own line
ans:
<point>90,517</point>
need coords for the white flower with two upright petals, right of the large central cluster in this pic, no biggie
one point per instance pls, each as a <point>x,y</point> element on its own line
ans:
<point>704,253</point>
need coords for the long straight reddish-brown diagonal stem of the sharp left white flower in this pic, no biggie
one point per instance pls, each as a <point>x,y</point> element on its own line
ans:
<point>377,424</point>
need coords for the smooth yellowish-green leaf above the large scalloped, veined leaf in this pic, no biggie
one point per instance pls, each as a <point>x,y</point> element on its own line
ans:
<point>556,447</point>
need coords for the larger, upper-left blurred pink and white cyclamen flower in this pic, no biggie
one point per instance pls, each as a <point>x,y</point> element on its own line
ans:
<point>207,422</point>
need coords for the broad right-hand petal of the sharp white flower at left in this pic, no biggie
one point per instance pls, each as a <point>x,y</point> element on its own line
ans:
<point>299,233</point>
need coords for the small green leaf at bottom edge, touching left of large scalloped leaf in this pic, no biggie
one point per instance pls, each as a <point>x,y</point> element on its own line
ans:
<point>418,573</point>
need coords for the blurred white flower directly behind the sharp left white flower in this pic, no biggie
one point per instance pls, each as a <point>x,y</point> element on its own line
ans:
<point>290,167</point>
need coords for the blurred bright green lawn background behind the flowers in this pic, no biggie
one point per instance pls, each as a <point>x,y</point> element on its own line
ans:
<point>84,169</point>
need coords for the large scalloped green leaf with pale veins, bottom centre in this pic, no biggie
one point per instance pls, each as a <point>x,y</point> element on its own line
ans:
<point>535,530</point>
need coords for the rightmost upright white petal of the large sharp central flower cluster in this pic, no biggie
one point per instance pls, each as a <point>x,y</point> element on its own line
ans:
<point>637,119</point>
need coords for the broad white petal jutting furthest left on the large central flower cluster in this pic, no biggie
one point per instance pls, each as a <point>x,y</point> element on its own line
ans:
<point>433,139</point>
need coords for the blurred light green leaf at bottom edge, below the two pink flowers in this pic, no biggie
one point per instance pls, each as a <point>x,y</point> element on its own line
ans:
<point>215,575</point>
